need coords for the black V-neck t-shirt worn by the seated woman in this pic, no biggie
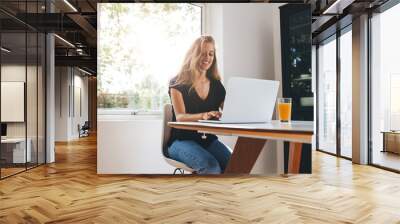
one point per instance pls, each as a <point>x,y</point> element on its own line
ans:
<point>193,105</point>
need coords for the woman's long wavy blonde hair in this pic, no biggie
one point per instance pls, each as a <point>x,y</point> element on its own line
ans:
<point>190,65</point>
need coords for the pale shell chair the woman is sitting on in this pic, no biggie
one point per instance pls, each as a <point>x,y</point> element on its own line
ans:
<point>167,117</point>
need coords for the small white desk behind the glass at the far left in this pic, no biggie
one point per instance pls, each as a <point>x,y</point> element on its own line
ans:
<point>18,150</point>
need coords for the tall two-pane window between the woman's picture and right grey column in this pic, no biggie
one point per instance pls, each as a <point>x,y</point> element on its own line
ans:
<point>335,94</point>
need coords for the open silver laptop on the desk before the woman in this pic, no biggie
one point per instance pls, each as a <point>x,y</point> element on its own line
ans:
<point>248,101</point>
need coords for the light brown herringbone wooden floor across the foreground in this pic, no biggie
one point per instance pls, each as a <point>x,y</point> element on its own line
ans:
<point>69,191</point>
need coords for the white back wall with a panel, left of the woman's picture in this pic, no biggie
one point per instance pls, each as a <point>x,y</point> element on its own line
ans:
<point>69,82</point>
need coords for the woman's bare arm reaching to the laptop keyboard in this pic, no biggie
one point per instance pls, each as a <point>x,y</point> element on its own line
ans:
<point>180,112</point>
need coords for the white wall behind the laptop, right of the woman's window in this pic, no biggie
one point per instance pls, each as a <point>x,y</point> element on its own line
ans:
<point>250,41</point>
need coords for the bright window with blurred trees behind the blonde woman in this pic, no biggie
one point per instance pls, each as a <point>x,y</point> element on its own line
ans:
<point>141,47</point>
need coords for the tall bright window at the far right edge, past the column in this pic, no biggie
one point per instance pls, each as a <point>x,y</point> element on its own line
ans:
<point>385,87</point>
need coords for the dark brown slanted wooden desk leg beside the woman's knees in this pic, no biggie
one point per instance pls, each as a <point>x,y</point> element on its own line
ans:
<point>244,155</point>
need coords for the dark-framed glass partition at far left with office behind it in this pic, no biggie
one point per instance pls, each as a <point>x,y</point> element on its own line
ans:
<point>22,78</point>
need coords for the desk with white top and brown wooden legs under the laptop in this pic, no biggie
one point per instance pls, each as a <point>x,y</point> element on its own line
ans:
<point>252,138</point>
